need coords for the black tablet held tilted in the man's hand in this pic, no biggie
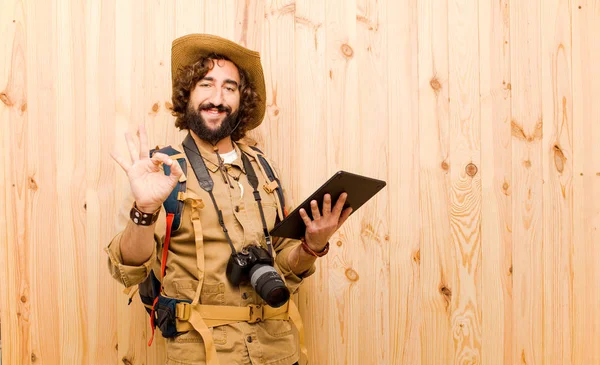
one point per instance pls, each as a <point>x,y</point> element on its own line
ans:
<point>359,188</point>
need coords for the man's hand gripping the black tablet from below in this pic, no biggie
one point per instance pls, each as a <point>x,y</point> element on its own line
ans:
<point>324,224</point>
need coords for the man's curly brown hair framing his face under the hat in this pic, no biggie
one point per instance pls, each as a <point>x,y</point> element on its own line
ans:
<point>188,76</point>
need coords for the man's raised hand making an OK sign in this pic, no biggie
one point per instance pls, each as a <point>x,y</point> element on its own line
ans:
<point>149,184</point>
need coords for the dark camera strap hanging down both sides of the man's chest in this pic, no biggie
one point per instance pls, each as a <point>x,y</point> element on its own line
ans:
<point>207,184</point>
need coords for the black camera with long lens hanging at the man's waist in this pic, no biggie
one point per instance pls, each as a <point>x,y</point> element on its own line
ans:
<point>254,263</point>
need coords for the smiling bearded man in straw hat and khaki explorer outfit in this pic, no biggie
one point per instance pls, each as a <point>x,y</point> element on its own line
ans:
<point>229,204</point>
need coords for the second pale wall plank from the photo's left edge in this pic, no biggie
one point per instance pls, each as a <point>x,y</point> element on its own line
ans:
<point>42,174</point>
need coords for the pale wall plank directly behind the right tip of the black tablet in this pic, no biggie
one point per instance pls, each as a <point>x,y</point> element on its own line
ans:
<point>371,259</point>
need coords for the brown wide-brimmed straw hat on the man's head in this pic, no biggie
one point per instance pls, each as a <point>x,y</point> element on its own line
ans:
<point>189,48</point>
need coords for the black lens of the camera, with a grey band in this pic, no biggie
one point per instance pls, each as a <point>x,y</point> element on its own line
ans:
<point>268,284</point>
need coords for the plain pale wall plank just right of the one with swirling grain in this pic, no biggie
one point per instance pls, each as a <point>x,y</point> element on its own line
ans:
<point>496,179</point>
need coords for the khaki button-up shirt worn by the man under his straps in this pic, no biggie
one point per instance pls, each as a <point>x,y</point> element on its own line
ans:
<point>269,342</point>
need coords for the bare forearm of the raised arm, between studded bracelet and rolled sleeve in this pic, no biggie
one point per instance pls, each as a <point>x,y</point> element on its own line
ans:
<point>137,244</point>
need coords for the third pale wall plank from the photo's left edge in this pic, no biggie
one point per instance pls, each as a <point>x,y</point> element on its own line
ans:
<point>70,137</point>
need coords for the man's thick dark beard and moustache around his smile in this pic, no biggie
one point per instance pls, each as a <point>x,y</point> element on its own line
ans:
<point>198,125</point>
